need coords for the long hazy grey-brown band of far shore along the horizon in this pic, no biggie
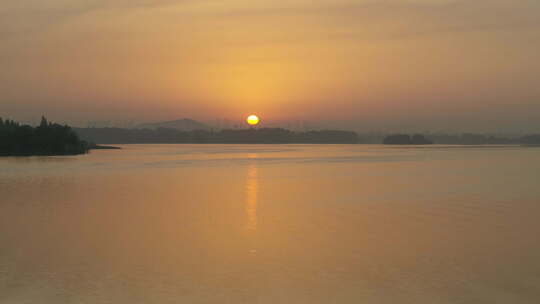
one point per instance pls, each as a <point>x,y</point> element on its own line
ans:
<point>160,135</point>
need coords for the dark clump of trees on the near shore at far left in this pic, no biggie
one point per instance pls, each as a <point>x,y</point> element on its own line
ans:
<point>45,139</point>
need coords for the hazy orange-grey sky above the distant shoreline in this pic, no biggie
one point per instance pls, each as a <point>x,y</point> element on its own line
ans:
<point>363,64</point>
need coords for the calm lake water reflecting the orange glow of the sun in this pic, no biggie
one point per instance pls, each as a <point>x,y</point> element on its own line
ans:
<point>272,224</point>
